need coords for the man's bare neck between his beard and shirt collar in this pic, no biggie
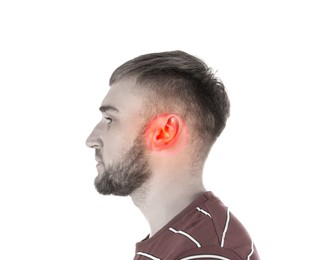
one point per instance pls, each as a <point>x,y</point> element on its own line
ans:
<point>161,200</point>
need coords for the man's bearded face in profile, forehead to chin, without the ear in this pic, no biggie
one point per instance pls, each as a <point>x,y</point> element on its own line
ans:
<point>119,142</point>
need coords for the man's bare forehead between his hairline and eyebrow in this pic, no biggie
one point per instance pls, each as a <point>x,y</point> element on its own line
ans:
<point>124,96</point>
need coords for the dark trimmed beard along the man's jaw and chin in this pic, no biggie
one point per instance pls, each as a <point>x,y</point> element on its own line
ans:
<point>125,176</point>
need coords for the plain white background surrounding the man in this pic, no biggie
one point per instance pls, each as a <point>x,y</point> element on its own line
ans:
<point>271,166</point>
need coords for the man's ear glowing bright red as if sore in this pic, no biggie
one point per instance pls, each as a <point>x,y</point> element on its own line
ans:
<point>163,131</point>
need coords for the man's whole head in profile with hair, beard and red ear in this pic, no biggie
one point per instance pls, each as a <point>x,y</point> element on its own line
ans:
<point>158,103</point>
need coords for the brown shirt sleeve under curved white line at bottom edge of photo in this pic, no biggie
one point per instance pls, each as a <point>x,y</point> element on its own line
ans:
<point>210,253</point>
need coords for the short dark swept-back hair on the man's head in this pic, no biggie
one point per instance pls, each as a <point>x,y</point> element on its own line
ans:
<point>176,80</point>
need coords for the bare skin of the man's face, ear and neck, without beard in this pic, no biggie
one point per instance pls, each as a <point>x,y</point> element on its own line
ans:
<point>175,179</point>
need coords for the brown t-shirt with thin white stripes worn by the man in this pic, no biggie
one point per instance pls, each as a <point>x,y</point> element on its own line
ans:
<point>205,229</point>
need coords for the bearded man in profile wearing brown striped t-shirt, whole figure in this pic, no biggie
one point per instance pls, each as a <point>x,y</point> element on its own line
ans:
<point>161,116</point>
